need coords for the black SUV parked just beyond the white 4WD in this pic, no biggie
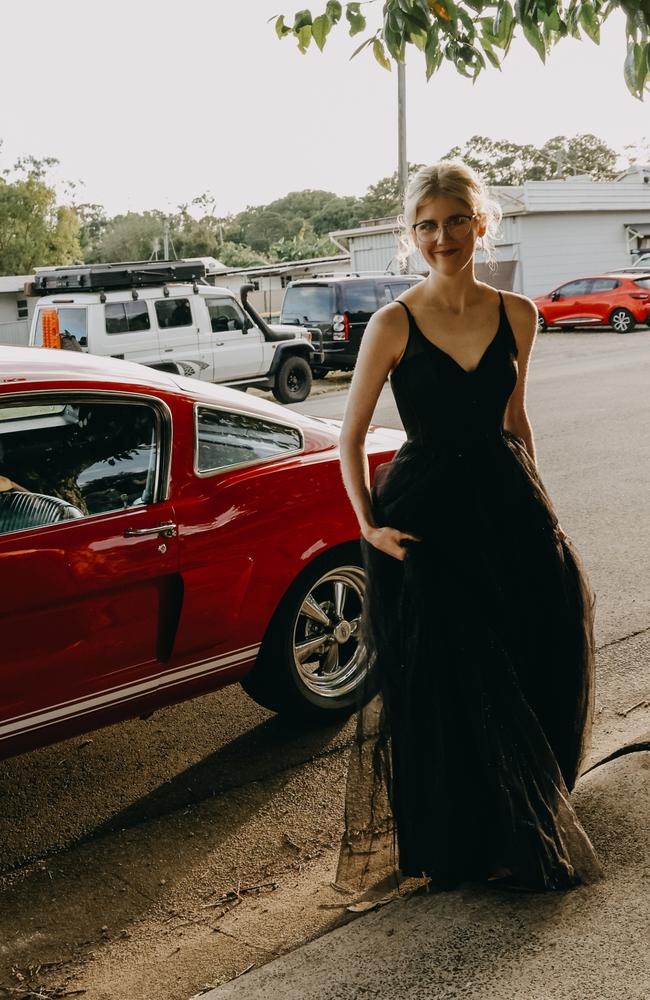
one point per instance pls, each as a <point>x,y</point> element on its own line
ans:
<point>340,307</point>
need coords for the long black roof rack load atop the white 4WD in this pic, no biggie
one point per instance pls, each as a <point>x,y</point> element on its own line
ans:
<point>110,277</point>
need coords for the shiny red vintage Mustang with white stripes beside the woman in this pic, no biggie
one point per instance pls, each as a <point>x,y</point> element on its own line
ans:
<point>161,537</point>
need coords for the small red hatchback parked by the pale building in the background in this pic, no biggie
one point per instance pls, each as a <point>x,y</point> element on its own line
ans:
<point>619,300</point>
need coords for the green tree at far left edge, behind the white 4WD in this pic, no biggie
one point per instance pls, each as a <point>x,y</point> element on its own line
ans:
<point>34,230</point>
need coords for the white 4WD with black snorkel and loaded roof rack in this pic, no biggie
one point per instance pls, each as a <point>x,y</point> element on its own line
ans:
<point>163,314</point>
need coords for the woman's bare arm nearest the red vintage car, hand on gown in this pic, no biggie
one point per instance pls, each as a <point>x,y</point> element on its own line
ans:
<point>382,345</point>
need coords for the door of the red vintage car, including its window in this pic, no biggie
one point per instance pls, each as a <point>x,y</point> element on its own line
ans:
<point>88,560</point>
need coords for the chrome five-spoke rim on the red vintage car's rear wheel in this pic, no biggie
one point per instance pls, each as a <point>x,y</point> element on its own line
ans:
<point>326,647</point>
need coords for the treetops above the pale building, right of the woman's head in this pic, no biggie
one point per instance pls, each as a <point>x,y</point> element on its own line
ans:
<point>500,162</point>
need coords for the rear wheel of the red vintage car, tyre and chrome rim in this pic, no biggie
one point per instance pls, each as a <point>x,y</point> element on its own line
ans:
<point>315,683</point>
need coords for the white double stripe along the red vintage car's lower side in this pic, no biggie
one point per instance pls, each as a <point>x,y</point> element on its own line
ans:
<point>127,692</point>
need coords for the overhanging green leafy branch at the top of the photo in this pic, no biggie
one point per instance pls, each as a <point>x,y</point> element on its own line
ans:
<point>471,33</point>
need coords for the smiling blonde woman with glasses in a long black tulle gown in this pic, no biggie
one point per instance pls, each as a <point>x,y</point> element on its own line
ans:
<point>477,620</point>
